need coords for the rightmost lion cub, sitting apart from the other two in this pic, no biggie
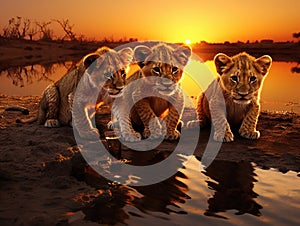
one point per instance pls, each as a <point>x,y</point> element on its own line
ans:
<point>240,82</point>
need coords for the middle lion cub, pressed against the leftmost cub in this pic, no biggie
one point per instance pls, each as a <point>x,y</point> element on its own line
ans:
<point>164,61</point>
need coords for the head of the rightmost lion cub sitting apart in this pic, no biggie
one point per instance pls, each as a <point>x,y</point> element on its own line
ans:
<point>242,75</point>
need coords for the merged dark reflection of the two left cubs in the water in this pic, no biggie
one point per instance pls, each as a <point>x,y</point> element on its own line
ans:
<point>108,205</point>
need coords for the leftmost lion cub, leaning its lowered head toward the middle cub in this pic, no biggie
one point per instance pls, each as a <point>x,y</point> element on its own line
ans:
<point>55,107</point>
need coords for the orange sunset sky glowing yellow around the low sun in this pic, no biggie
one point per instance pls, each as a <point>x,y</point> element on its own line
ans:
<point>167,20</point>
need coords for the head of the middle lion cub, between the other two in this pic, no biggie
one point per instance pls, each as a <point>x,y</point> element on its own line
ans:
<point>163,61</point>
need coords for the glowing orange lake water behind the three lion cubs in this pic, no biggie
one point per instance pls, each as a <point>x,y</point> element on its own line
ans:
<point>280,91</point>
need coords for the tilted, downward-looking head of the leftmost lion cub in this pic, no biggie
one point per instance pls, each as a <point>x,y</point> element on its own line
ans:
<point>108,68</point>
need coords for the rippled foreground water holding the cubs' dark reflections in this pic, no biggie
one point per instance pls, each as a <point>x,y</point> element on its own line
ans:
<point>226,193</point>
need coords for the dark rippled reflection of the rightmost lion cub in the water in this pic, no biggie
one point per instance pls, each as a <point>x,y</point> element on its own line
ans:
<point>233,184</point>
